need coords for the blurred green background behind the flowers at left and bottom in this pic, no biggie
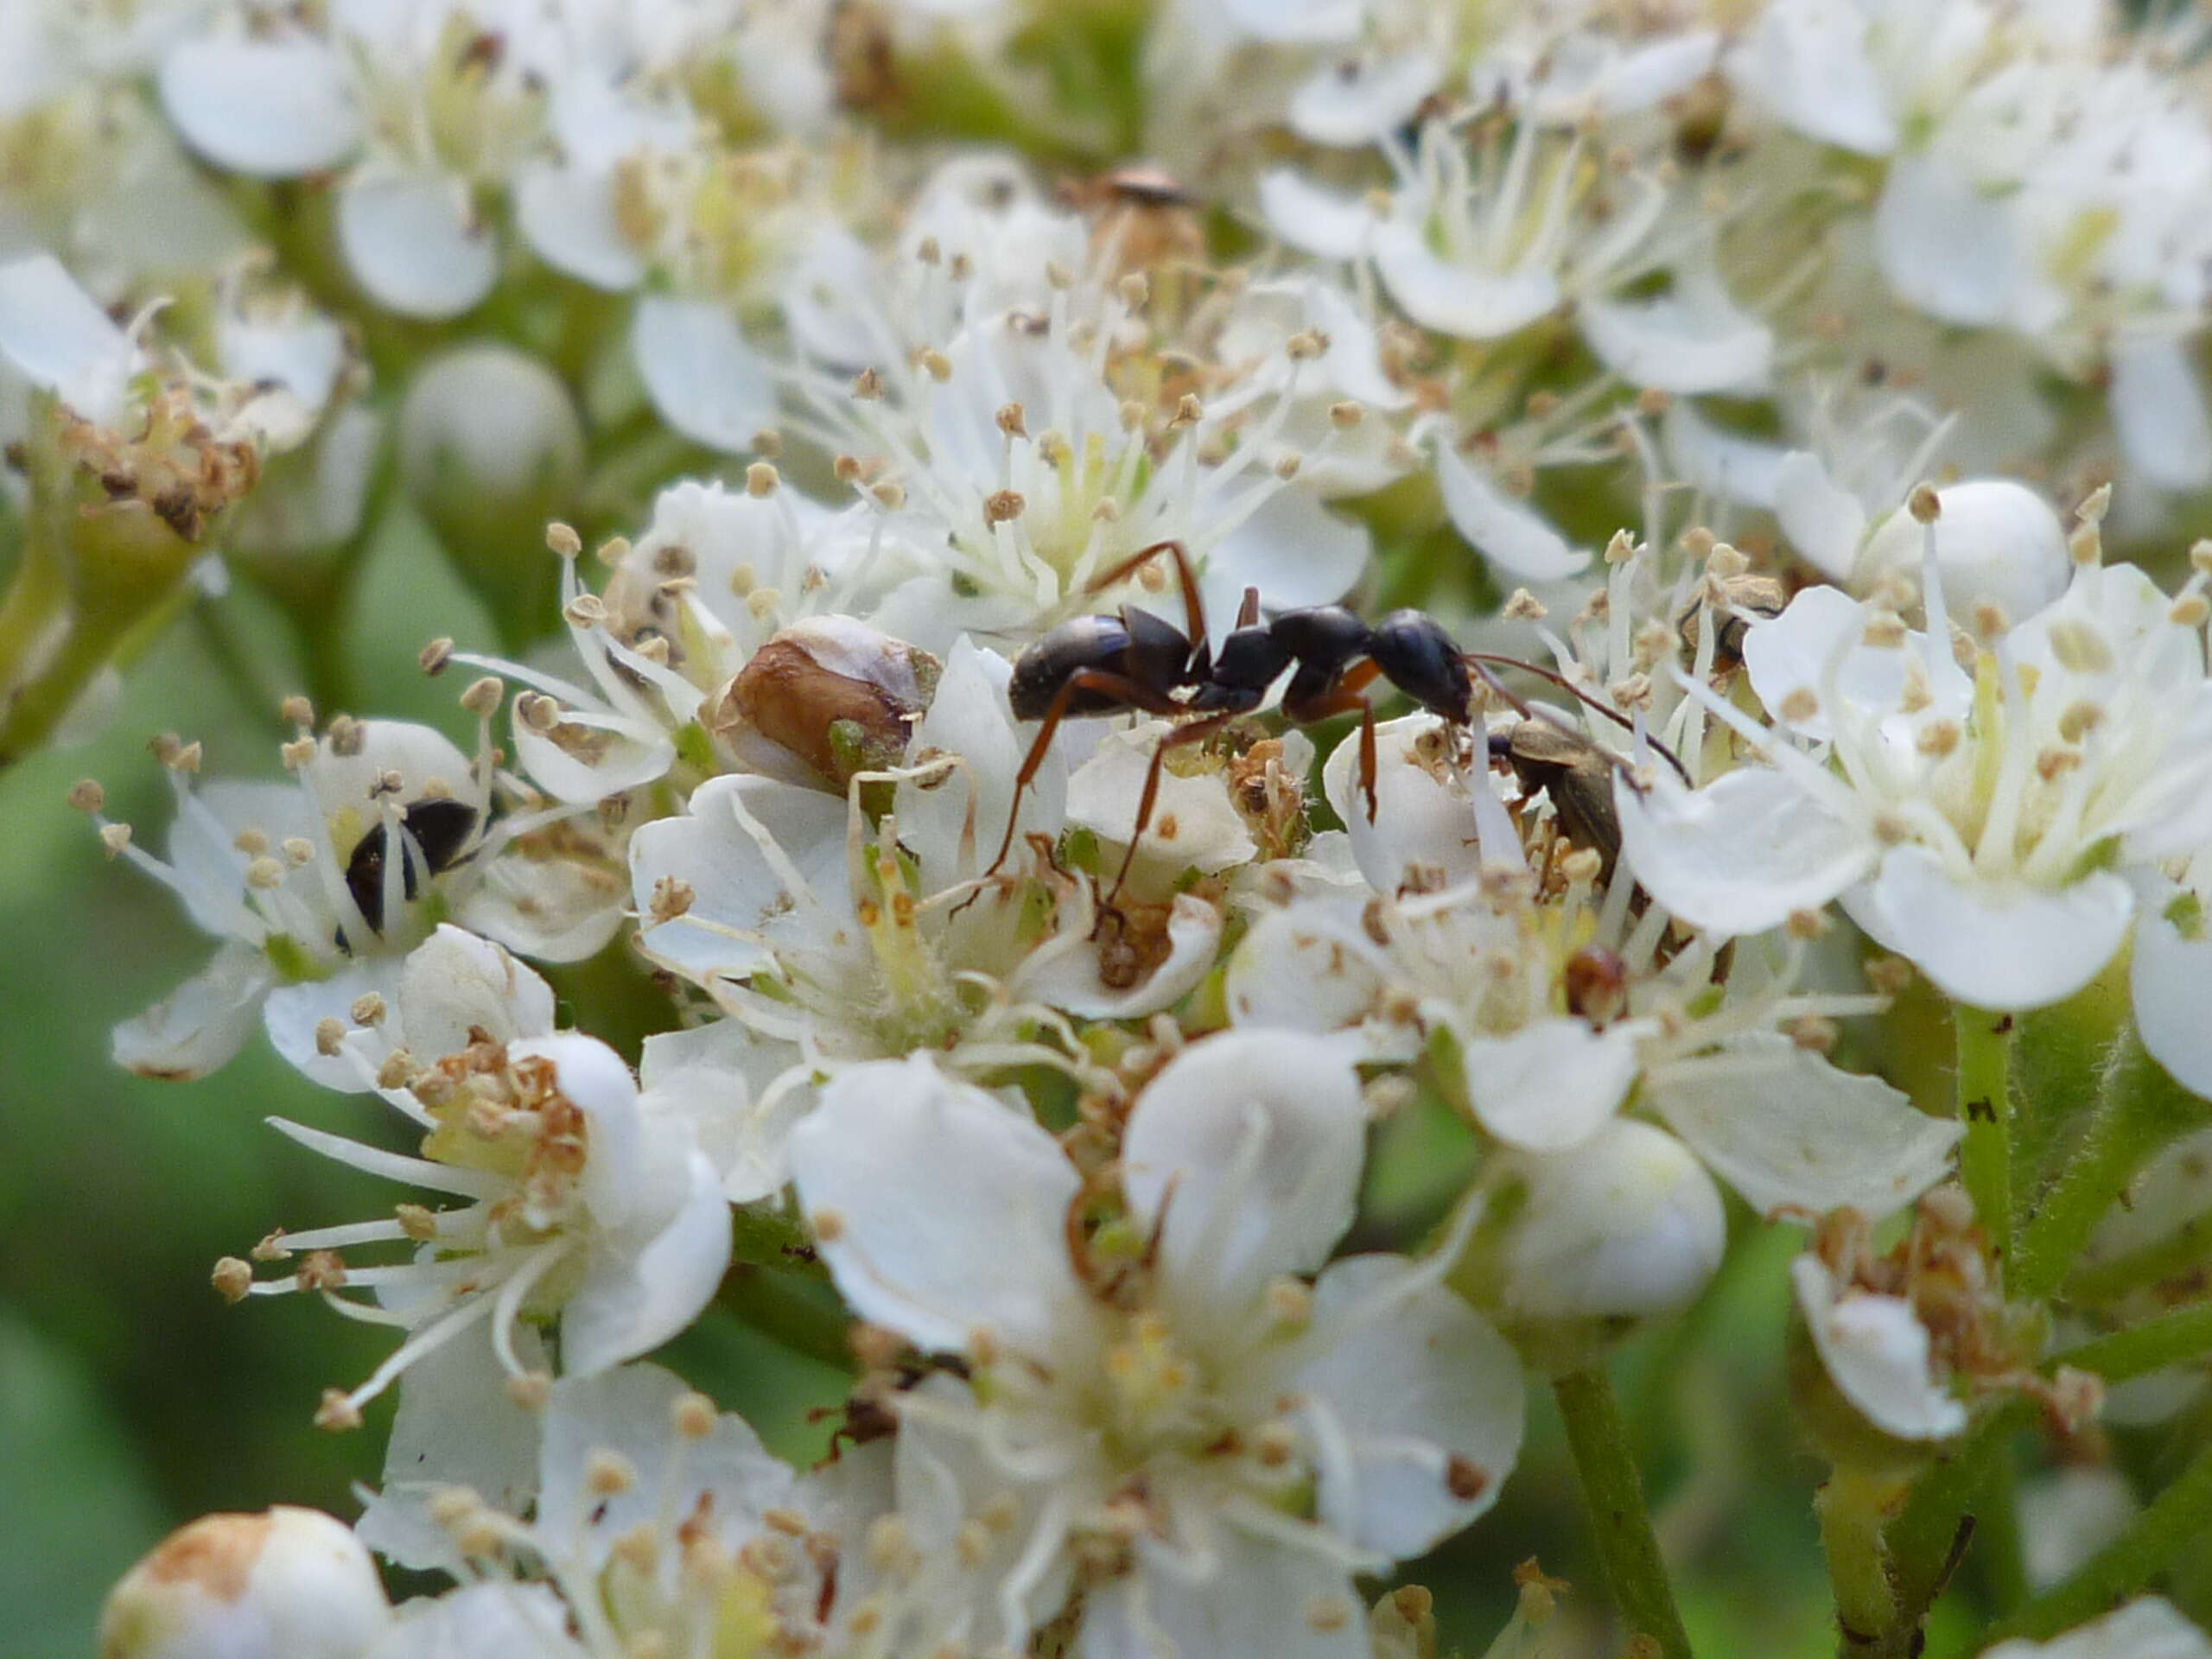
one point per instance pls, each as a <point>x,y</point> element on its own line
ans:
<point>132,1397</point>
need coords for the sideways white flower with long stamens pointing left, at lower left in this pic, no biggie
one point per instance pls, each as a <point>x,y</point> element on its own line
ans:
<point>581,1202</point>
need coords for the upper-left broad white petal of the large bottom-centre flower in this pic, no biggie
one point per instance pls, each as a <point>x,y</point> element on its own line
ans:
<point>948,1209</point>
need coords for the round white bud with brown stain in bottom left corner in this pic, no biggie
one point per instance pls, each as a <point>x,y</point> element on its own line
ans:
<point>282,1585</point>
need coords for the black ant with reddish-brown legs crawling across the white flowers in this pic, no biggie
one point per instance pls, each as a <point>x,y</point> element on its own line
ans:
<point>1136,662</point>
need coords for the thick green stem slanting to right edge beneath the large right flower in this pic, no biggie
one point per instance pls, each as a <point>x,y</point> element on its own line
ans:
<point>2140,1109</point>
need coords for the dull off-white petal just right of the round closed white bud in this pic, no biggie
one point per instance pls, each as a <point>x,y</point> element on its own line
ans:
<point>1788,1129</point>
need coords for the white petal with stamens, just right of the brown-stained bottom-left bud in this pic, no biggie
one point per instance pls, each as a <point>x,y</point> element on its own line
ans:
<point>720,1483</point>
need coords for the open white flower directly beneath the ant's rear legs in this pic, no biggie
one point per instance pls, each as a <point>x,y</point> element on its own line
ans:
<point>831,941</point>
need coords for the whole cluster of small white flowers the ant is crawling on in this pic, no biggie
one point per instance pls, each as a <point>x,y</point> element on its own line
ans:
<point>946,587</point>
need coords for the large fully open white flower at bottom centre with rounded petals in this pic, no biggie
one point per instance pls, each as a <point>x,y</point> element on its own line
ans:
<point>1231,1443</point>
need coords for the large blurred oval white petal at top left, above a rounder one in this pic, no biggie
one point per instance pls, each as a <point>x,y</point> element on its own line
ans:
<point>264,107</point>
